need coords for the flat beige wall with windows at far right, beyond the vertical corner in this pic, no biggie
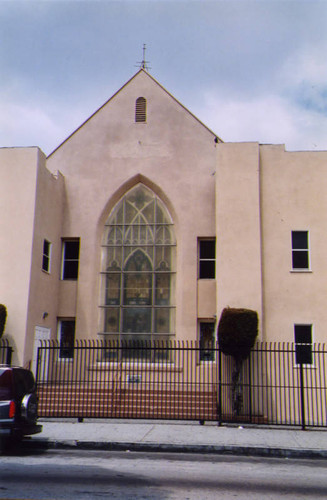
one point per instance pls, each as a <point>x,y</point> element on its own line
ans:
<point>293,197</point>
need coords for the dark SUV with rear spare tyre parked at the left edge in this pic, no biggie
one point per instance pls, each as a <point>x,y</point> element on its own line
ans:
<point>18,403</point>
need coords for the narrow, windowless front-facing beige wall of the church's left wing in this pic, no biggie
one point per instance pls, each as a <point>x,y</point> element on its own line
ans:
<point>18,171</point>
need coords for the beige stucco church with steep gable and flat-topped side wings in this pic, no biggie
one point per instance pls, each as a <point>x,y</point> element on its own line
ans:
<point>143,224</point>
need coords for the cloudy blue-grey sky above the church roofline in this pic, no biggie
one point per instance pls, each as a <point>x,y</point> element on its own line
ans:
<point>251,70</point>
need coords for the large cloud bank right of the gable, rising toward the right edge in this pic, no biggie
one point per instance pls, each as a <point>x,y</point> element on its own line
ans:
<point>288,107</point>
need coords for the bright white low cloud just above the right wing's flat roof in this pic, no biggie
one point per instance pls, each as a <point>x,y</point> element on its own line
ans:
<point>267,119</point>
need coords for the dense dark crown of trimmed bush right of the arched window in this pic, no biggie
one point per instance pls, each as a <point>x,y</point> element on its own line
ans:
<point>237,332</point>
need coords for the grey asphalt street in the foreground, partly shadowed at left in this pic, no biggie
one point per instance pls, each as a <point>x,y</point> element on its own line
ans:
<point>81,474</point>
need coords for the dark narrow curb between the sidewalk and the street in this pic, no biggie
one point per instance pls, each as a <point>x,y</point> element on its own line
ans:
<point>254,451</point>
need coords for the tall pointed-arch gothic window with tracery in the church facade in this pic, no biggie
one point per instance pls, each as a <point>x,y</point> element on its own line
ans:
<point>138,269</point>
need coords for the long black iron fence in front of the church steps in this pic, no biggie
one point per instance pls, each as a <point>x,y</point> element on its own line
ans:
<point>170,380</point>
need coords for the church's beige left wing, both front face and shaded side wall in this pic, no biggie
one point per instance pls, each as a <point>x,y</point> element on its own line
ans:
<point>30,207</point>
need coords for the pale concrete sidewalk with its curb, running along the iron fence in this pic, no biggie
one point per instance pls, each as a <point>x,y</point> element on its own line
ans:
<point>183,437</point>
